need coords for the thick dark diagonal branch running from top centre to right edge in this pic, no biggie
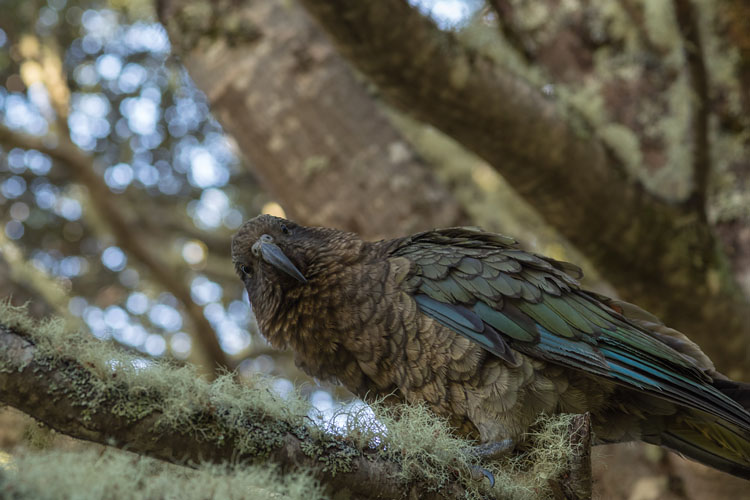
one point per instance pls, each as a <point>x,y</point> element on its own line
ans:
<point>647,248</point>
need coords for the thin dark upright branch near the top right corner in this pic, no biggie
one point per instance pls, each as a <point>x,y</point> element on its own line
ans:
<point>693,49</point>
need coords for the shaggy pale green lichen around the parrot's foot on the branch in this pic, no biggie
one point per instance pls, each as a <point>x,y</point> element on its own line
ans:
<point>428,451</point>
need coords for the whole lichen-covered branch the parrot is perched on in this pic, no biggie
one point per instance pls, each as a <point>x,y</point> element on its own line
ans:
<point>82,387</point>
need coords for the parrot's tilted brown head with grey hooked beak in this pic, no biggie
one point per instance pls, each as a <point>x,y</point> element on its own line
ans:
<point>274,253</point>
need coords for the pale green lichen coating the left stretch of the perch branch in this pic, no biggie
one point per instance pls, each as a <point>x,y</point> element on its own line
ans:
<point>220,411</point>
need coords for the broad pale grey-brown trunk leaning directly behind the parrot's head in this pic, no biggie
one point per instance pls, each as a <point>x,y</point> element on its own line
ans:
<point>317,139</point>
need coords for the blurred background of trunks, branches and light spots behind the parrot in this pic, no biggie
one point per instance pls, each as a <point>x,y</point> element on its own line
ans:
<point>621,128</point>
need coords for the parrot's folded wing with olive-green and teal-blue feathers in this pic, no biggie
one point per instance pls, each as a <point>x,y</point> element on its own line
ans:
<point>483,286</point>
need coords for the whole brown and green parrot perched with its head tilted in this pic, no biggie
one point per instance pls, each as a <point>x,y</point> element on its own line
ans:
<point>488,336</point>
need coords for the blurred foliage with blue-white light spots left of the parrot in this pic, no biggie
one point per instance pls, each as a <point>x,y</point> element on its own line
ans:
<point>83,73</point>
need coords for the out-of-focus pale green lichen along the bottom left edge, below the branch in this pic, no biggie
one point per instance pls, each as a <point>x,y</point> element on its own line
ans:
<point>90,474</point>
